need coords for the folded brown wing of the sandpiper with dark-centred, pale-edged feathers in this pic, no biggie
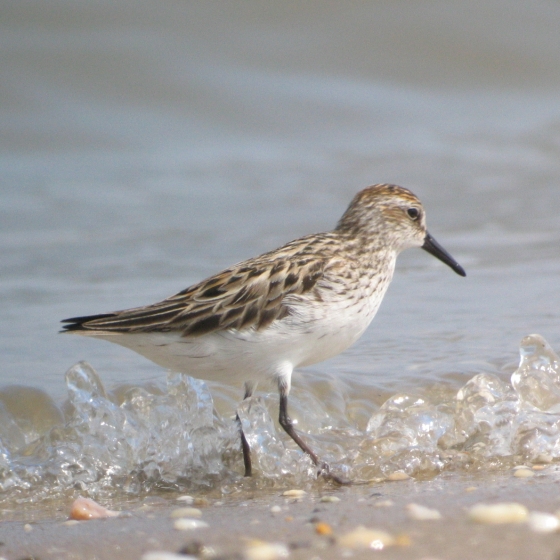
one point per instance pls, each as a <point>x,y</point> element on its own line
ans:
<point>250,294</point>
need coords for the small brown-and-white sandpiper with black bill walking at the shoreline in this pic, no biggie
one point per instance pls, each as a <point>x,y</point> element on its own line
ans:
<point>292,307</point>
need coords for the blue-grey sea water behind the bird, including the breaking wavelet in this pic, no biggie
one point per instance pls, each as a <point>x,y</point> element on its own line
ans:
<point>144,147</point>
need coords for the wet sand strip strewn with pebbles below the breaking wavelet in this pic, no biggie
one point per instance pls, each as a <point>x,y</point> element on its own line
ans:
<point>234,522</point>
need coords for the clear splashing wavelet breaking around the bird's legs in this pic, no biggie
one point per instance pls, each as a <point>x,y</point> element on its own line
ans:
<point>168,435</point>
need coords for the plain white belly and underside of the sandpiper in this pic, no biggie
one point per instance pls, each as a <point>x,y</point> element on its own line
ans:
<point>312,332</point>
